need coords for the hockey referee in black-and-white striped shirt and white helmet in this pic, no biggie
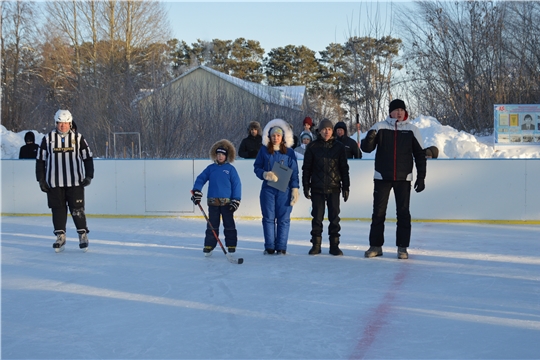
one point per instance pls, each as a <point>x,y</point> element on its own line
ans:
<point>64,166</point>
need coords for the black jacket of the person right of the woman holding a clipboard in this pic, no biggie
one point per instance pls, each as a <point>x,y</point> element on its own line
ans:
<point>325,169</point>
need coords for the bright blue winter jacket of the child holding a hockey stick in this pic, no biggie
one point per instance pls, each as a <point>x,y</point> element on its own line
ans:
<point>224,182</point>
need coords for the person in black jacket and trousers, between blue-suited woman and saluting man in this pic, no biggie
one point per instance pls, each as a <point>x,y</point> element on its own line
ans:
<point>325,174</point>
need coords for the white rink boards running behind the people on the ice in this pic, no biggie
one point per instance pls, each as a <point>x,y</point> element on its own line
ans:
<point>479,189</point>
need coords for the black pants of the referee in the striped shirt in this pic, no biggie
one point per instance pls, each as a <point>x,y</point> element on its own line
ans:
<point>59,199</point>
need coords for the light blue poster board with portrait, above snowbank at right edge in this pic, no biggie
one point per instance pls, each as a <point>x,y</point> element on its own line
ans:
<point>517,124</point>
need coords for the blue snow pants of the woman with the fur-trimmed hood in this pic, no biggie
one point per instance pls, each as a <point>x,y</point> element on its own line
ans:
<point>276,210</point>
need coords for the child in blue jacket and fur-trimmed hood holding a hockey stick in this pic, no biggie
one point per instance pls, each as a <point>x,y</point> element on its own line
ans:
<point>224,195</point>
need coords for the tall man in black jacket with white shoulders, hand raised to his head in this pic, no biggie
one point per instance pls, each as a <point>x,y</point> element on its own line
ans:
<point>398,144</point>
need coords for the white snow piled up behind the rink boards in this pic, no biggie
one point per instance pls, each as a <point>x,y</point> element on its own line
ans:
<point>452,144</point>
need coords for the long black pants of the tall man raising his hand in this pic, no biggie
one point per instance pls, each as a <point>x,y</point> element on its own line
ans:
<point>402,193</point>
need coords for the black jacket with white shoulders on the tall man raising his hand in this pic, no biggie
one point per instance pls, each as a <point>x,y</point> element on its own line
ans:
<point>398,143</point>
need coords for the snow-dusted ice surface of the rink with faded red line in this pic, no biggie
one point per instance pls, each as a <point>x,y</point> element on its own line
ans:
<point>144,290</point>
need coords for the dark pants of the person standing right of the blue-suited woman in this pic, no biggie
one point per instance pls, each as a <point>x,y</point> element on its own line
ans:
<point>318,204</point>
